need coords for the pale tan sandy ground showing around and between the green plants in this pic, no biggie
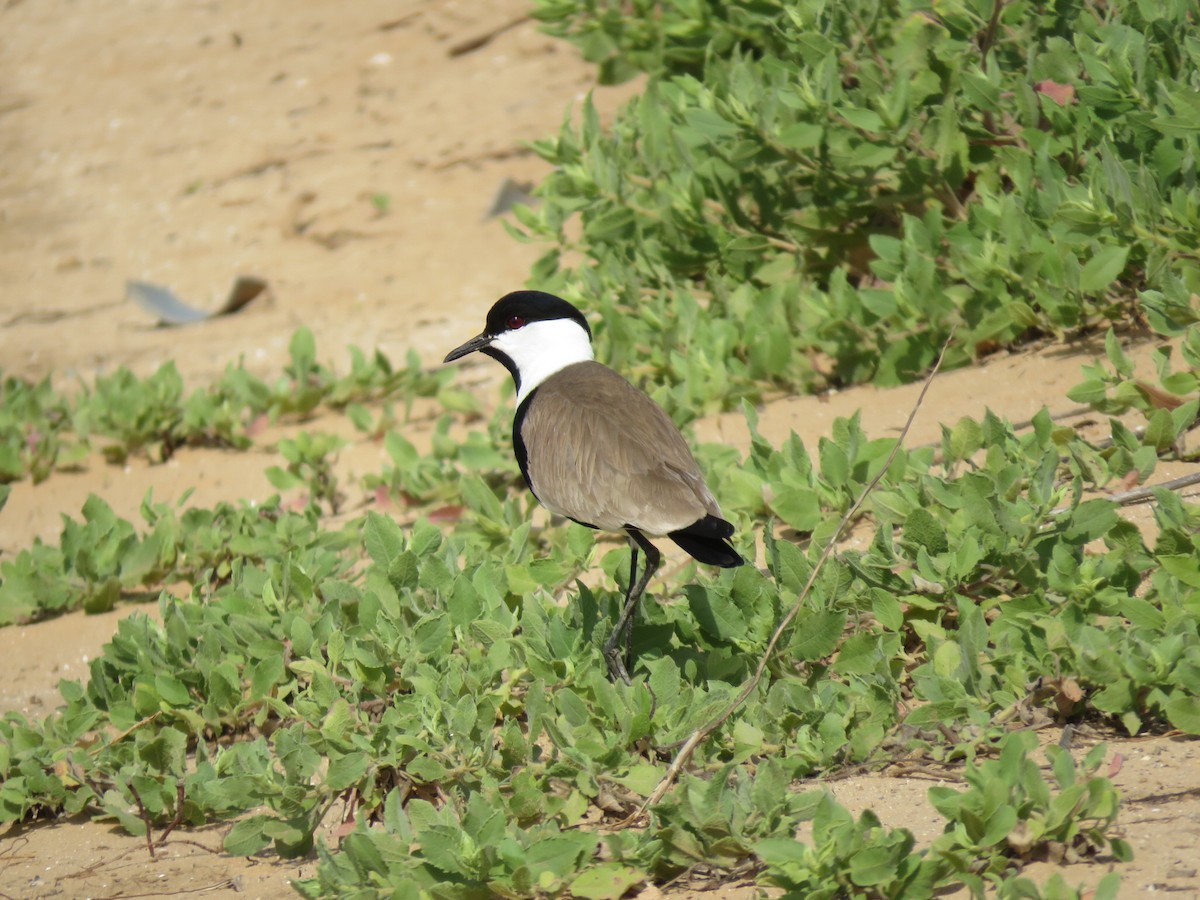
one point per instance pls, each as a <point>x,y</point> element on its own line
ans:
<point>188,143</point>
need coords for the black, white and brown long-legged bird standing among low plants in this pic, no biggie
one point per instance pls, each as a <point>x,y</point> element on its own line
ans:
<point>596,449</point>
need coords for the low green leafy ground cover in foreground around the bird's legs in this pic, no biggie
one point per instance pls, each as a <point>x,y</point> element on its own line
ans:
<point>385,667</point>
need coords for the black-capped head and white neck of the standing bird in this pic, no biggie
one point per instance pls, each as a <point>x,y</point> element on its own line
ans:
<point>533,335</point>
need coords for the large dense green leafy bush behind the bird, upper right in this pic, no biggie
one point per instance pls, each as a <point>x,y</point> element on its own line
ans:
<point>809,195</point>
